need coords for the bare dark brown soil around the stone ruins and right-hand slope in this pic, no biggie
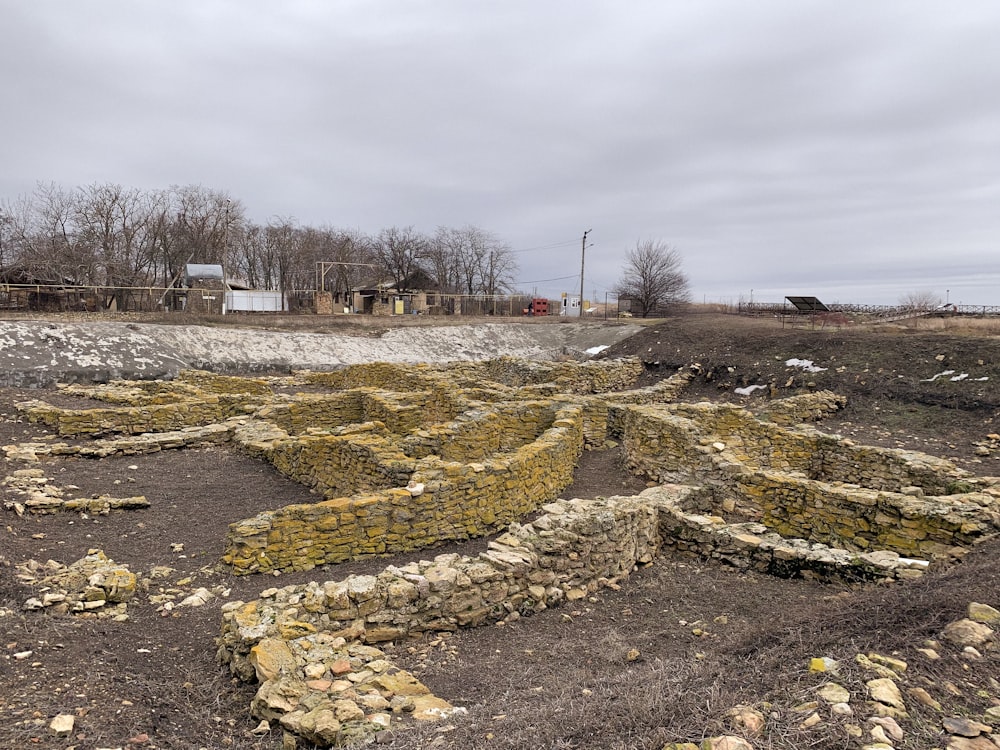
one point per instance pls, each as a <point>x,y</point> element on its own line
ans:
<point>560,679</point>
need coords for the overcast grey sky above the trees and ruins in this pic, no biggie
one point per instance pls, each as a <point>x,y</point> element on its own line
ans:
<point>847,149</point>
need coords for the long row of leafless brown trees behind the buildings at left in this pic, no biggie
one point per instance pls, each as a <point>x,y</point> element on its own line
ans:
<point>110,235</point>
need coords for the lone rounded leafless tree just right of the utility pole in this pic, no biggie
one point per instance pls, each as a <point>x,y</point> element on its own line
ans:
<point>653,277</point>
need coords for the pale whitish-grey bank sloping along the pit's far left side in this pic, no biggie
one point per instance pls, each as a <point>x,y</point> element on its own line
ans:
<point>37,353</point>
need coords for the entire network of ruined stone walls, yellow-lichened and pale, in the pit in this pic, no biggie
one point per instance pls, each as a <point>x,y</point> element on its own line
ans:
<point>408,456</point>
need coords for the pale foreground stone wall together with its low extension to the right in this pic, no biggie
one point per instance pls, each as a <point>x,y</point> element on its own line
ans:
<point>573,549</point>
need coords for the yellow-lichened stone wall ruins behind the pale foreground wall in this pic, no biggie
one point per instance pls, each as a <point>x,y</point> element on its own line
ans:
<point>462,455</point>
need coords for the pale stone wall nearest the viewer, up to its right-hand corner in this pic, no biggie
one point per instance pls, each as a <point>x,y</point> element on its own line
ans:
<point>570,550</point>
